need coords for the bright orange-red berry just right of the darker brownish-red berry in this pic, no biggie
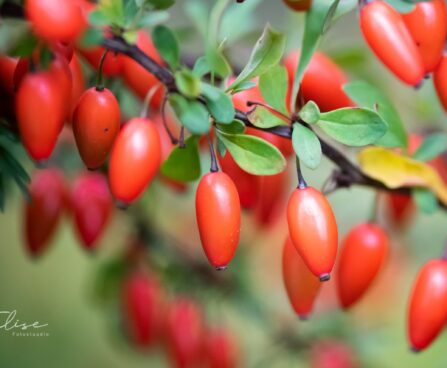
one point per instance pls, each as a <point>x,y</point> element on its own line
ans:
<point>135,159</point>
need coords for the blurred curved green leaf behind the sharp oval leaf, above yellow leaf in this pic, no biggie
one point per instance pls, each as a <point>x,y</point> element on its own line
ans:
<point>366,95</point>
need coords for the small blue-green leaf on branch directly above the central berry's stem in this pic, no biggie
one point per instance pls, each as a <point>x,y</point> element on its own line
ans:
<point>219,104</point>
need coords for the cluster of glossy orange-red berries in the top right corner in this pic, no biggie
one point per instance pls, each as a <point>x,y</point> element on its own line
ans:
<point>411,45</point>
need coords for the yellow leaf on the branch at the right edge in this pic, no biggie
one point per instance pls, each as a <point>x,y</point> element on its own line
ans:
<point>396,171</point>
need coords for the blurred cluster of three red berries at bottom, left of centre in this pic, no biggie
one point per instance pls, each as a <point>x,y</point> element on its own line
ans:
<point>151,318</point>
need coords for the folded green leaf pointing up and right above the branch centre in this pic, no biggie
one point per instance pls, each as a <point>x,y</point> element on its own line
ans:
<point>266,54</point>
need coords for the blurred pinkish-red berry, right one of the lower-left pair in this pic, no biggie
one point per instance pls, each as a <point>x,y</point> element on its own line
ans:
<point>92,207</point>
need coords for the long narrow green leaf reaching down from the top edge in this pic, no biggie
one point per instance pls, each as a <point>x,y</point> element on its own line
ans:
<point>315,22</point>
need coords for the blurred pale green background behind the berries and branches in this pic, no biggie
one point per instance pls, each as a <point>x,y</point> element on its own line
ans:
<point>61,287</point>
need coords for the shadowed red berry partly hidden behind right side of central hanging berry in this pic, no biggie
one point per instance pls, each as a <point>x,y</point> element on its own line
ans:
<point>246,184</point>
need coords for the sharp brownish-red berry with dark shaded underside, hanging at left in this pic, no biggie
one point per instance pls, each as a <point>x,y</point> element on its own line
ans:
<point>96,123</point>
